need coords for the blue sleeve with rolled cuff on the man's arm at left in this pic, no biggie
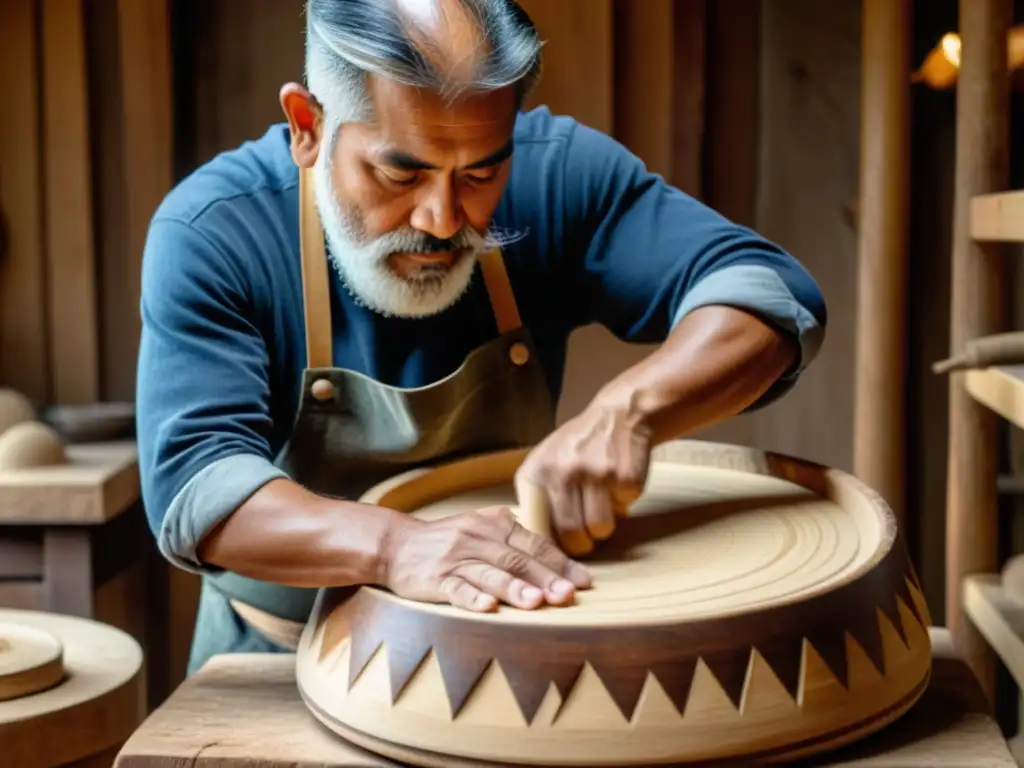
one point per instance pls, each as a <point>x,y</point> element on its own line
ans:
<point>203,391</point>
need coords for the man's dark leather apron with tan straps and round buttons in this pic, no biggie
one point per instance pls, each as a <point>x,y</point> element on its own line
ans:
<point>352,433</point>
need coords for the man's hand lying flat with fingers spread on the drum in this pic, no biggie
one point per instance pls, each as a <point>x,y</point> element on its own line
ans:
<point>477,560</point>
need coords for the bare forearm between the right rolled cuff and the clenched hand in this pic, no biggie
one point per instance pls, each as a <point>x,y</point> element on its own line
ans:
<point>716,363</point>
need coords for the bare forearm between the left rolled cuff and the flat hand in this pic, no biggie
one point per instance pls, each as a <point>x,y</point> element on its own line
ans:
<point>287,535</point>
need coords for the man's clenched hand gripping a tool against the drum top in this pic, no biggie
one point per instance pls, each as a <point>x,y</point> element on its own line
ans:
<point>591,470</point>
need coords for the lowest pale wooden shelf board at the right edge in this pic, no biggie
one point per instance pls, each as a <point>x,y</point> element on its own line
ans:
<point>999,618</point>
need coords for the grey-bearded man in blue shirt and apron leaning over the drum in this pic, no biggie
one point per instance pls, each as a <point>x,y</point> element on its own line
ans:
<point>390,281</point>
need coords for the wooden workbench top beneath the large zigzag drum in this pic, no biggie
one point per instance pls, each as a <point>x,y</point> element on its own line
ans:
<point>245,712</point>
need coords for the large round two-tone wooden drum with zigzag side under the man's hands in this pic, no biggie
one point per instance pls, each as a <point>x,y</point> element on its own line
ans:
<point>752,607</point>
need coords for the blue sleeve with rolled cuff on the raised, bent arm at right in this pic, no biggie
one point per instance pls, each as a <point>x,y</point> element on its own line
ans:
<point>646,255</point>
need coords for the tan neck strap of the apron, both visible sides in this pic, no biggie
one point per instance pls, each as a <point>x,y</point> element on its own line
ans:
<point>316,282</point>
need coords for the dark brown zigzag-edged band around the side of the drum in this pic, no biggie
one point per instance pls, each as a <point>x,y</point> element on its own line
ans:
<point>534,658</point>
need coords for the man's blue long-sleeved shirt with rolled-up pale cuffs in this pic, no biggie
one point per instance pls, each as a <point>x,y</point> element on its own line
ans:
<point>224,343</point>
